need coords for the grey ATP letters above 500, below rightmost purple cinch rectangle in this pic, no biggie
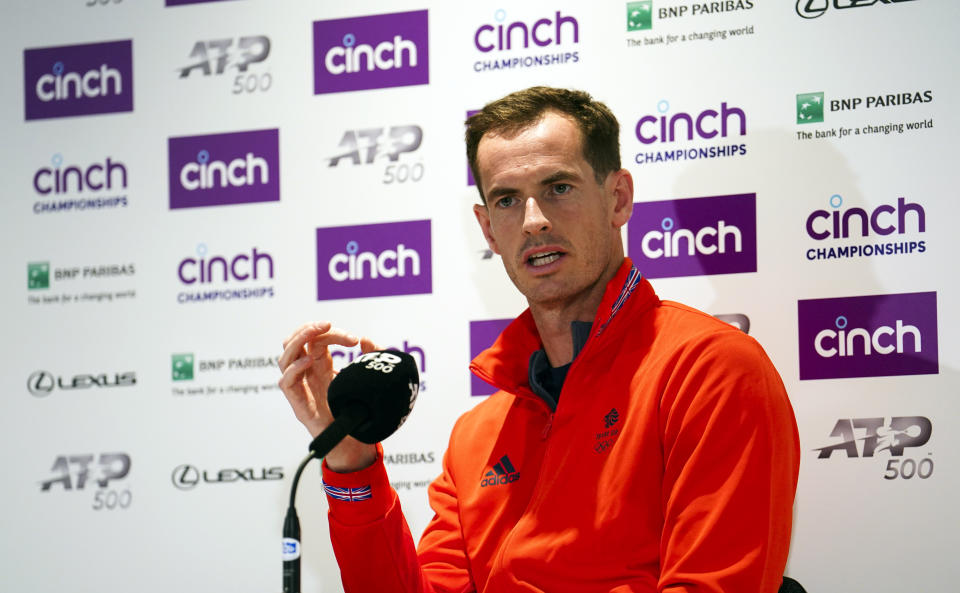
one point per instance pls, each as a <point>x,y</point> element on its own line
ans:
<point>879,434</point>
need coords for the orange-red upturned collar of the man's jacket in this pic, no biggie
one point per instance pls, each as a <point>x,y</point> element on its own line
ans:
<point>505,364</point>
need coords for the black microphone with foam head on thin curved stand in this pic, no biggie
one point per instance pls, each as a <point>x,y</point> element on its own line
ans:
<point>370,399</point>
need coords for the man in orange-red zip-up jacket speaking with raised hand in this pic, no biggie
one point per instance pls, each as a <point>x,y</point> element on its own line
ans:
<point>635,444</point>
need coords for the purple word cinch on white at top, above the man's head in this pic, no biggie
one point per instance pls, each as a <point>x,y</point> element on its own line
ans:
<point>518,35</point>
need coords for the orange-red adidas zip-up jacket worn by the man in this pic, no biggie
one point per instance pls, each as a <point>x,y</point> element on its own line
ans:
<point>669,465</point>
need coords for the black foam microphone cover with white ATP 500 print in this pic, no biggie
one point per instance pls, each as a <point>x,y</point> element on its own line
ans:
<point>385,383</point>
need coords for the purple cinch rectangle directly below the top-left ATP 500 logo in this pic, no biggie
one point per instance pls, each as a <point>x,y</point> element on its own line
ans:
<point>219,169</point>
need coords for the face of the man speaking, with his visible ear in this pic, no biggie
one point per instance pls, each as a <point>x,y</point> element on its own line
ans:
<point>555,228</point>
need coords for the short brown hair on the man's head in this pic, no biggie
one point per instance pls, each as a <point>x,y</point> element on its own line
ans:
<point>599,129</point>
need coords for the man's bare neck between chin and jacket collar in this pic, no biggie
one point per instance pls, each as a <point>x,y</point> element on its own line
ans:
<point>553,319</point>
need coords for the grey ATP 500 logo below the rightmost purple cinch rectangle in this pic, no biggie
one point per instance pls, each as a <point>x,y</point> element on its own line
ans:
<point>866,437</point>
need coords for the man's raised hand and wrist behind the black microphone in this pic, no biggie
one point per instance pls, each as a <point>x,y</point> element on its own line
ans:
<point>307,369</point>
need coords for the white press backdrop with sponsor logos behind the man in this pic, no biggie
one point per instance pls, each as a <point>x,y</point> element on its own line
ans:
<point>110,319</point>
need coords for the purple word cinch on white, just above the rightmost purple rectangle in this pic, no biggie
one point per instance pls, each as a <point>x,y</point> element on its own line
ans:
<point>882,220</point>
